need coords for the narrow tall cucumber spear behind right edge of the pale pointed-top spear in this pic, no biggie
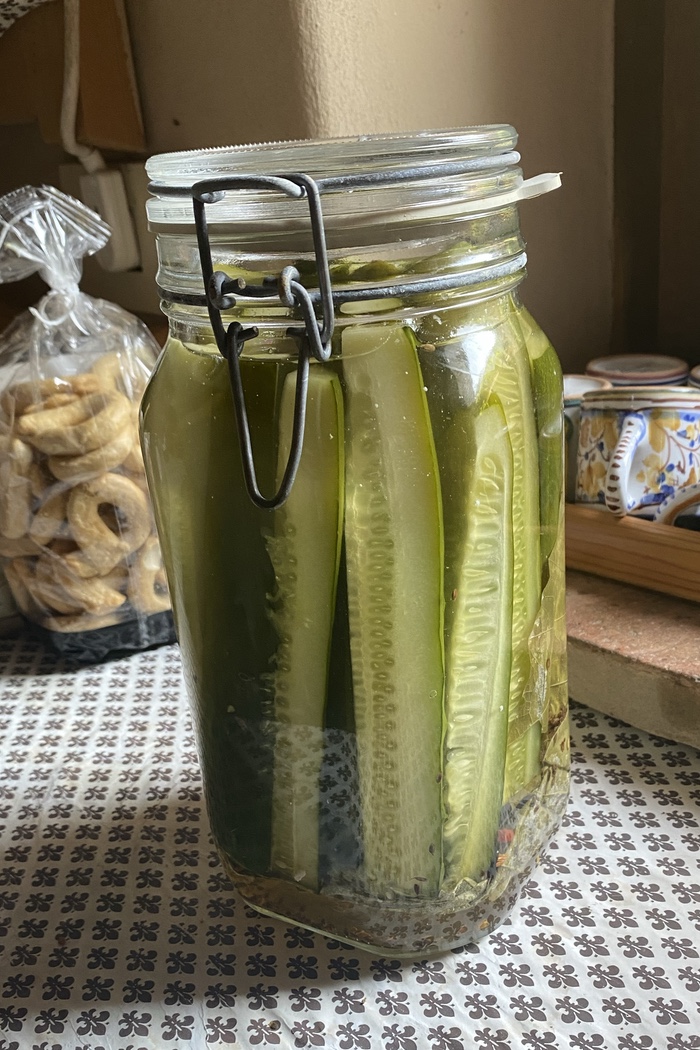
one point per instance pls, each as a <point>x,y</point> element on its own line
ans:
<point>513,385</point>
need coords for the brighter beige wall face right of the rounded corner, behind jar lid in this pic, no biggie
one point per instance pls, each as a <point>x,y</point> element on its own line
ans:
<point>545,67</point>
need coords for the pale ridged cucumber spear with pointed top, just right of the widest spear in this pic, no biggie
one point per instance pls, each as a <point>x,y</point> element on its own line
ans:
<point>479,657</point>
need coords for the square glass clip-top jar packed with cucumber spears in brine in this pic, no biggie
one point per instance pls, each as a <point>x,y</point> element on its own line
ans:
<point>377,665</point>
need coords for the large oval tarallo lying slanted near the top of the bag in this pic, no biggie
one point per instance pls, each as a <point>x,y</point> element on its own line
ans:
<point>78,428</point>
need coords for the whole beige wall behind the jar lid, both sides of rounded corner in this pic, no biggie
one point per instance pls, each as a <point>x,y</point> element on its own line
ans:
<point>218,72</point>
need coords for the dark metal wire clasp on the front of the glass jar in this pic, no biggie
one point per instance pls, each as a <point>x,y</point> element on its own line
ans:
<point>221,295</point>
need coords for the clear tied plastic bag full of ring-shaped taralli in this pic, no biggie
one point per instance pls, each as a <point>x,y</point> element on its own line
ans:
<point>77,533</point>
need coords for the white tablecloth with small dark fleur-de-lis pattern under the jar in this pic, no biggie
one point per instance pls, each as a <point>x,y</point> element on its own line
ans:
<point>120,931</point>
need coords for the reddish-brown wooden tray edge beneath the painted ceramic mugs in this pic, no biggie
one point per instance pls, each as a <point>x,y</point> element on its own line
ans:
<point>661,558</point>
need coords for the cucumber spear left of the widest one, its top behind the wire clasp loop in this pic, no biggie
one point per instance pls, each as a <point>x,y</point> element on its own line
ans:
<point>306,554</point>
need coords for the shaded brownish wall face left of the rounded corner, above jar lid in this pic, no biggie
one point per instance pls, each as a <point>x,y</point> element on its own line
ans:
<point>213,73</point>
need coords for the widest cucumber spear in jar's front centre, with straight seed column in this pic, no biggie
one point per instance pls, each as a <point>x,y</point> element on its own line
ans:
<point>395,558</point>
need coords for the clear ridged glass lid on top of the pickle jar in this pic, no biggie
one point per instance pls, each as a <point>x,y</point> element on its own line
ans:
<point>439,173</point>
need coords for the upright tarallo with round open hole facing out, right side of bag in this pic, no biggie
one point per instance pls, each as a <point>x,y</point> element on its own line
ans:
<point>99,544</point>
